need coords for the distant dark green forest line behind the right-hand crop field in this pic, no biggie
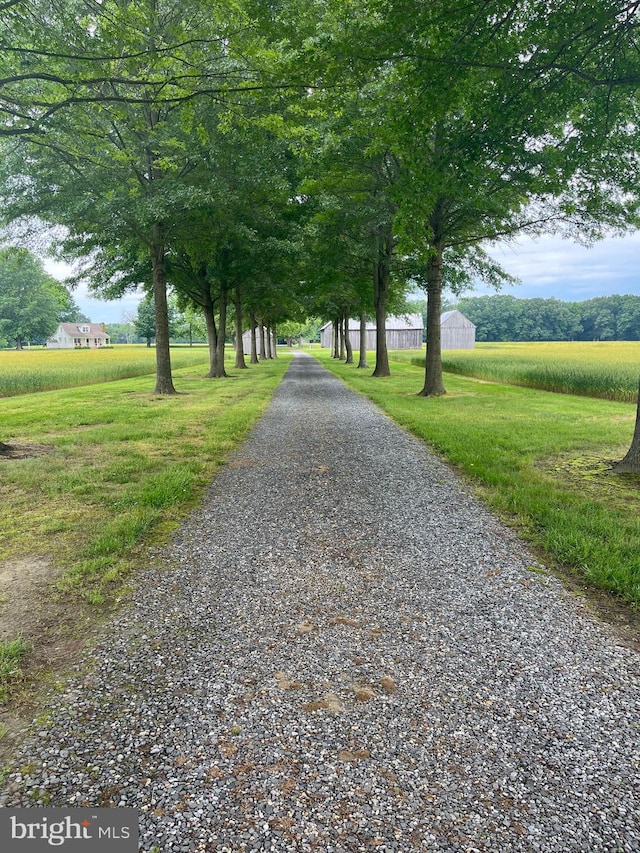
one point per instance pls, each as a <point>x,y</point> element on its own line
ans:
<point>507,318</point>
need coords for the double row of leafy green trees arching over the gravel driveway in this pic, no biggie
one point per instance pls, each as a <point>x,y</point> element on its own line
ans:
<point>312,157</point>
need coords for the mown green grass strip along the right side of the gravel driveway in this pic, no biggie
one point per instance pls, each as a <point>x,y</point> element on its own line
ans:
<point>540,459</point>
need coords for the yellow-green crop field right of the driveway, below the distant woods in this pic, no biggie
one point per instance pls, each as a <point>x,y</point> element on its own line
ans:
<point>608,369</point>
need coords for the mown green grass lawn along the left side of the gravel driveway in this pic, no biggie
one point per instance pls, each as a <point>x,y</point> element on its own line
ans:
<point>122,466</point>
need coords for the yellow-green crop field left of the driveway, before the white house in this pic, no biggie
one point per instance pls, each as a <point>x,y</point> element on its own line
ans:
<point>40,369</point>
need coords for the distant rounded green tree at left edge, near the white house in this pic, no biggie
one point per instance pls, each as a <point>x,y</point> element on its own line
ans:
<point>31,302</point>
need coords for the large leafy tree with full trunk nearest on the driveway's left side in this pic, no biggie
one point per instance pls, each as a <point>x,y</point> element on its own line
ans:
<point>106,115</point>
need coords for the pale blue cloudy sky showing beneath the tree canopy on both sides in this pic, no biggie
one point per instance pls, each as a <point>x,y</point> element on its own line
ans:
<point>547,267</point>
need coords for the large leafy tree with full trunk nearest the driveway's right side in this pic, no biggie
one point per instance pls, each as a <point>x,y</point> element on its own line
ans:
<point>497,127</point>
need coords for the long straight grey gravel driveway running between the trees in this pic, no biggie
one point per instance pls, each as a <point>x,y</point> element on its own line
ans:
<point>348,654</point>
